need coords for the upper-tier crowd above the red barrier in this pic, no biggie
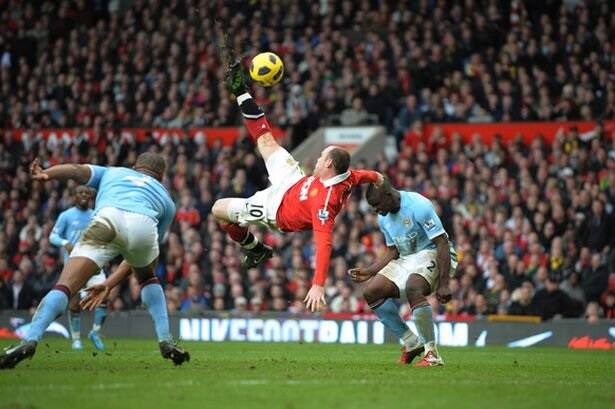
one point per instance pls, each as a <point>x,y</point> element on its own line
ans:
<point>137,63</point>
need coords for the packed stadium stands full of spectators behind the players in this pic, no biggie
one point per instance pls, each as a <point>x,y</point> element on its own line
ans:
<point>531,216</point>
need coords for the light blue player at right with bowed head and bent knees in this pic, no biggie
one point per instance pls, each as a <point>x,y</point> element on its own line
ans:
<point>418,262</point>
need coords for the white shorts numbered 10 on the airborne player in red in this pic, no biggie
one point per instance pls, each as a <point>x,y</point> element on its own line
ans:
<point>262,208</point>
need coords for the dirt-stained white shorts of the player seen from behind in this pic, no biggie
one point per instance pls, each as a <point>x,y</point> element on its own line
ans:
<point>114,232</point>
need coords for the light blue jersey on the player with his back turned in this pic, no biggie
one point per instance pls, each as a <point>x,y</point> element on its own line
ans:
<point>132,191</point>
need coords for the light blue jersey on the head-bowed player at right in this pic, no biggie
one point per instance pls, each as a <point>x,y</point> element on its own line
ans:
<point>413,227</point>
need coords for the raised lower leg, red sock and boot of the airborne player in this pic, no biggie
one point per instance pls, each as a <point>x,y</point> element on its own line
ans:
<point>253,116</point>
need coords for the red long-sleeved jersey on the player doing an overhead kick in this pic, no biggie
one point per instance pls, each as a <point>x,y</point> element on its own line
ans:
<point>313,204</point>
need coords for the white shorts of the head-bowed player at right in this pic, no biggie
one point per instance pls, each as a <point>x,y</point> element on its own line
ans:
<point>423,263</point>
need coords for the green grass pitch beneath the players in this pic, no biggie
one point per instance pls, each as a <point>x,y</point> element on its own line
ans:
<point>237,375</point>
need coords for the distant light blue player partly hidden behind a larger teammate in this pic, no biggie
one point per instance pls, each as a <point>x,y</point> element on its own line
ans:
<point>65,234</point>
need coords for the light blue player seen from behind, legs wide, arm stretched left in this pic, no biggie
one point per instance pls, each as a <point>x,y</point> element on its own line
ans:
<point>133,211</point>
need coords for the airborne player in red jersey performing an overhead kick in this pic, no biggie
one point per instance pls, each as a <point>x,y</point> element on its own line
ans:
<point>294,201</point>
